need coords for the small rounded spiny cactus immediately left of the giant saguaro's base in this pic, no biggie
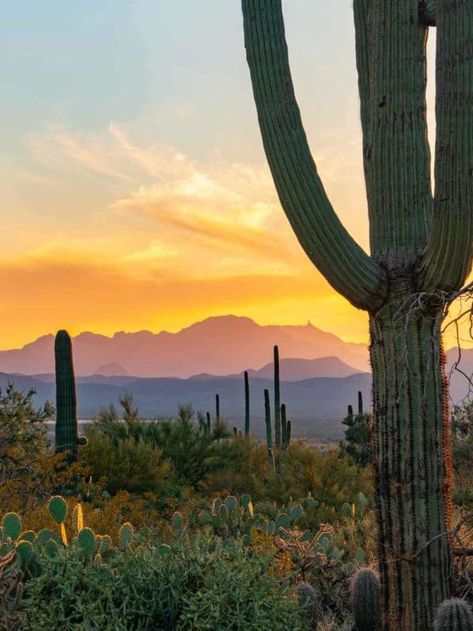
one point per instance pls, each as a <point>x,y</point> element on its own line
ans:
<point>365,596</point>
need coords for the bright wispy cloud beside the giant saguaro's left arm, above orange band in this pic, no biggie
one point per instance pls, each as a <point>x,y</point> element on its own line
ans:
<point>228,211</point>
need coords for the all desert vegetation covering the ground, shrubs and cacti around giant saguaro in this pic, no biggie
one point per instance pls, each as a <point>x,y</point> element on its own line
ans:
<point>186,524</point>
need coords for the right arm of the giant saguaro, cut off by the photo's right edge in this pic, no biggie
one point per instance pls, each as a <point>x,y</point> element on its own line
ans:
<point>448,256</point>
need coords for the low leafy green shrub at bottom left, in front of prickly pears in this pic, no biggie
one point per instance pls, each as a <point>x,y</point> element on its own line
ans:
<point>197,584</point>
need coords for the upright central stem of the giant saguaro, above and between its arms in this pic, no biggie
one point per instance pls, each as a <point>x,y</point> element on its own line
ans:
<point>399,186</point>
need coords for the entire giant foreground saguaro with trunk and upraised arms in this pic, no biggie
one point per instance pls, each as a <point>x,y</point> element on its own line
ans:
<point>421,254</point>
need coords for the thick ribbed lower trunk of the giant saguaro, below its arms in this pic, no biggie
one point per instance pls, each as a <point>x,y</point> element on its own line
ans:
<point>412,466</point>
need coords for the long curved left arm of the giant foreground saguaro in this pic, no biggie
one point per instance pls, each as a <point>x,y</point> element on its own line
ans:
<point>327,243</point>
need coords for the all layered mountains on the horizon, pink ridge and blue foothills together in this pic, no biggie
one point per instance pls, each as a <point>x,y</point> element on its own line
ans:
<point>321,374</point>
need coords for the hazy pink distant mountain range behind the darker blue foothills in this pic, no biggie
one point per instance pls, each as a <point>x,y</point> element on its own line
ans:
<point>219,346</point>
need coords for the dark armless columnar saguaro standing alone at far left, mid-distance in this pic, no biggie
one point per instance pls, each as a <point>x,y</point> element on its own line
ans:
<point>67,434</point>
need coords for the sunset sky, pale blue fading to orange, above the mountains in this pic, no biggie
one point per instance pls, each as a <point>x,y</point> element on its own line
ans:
<point>134,189</point>
